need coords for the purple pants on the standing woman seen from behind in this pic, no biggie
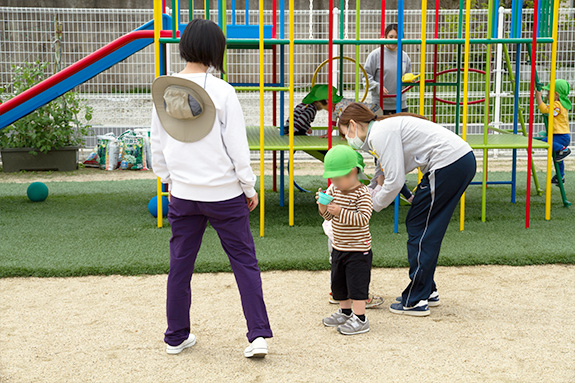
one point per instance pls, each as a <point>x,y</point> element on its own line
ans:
<point>230,219</point>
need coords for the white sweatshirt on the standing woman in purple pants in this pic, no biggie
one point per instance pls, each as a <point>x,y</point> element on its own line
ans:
<point>215,168</point>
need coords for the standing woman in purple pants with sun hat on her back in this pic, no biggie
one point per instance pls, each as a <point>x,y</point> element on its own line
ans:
<point>207,168</point>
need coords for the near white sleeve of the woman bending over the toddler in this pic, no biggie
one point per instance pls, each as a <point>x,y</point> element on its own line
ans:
<point>390,150</point>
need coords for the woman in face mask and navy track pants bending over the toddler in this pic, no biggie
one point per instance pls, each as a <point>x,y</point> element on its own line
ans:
<point>402,143</point>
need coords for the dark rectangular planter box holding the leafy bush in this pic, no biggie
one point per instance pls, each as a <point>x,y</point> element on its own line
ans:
<point>64,159</point>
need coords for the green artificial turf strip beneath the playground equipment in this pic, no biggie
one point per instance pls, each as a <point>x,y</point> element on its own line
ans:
<point>96,228</point>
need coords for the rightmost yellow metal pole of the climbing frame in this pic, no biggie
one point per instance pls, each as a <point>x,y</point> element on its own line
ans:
<point>551,108</point>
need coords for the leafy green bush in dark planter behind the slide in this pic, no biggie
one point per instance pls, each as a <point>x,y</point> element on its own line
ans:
<point>49,137</point>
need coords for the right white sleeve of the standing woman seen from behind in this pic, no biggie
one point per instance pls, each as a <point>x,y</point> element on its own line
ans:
<point>236,142</point>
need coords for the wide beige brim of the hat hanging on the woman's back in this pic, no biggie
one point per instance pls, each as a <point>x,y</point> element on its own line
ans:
<point>183,130</point>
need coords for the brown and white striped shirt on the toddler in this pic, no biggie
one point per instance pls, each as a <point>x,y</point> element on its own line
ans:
<point>351,227</point>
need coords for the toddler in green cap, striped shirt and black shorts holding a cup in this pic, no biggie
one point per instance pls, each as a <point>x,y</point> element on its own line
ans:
<point>349,211</point>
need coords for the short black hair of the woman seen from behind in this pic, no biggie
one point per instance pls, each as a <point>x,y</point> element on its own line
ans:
<point>203,42</point>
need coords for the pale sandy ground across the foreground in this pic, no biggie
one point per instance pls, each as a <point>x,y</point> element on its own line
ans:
<point>495,324</point>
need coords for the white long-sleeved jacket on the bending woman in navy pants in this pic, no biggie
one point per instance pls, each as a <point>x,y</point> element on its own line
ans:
<point>402,144</point>
